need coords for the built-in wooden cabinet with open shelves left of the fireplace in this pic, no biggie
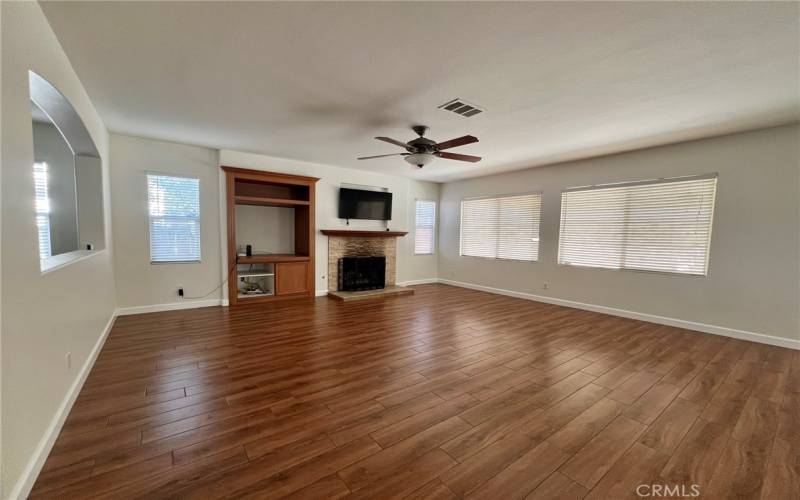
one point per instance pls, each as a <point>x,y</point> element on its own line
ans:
<point>275,275</point>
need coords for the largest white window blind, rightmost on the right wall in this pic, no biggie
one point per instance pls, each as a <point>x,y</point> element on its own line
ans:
<point>660,225</point>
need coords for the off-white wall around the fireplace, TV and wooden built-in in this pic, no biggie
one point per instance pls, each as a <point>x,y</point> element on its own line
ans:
<point>404,190</point>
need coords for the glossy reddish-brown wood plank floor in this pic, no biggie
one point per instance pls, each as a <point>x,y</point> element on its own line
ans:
<point>447,393</point>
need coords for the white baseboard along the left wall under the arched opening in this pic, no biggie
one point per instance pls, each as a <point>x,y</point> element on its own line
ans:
<point>28,477</point>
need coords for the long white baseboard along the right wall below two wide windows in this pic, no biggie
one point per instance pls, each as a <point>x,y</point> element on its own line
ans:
<point>662,320</point>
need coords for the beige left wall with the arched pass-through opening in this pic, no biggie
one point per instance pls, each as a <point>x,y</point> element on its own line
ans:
<point>44,315</point>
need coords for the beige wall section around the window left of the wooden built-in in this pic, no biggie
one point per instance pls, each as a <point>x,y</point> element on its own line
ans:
<point>140,283</point>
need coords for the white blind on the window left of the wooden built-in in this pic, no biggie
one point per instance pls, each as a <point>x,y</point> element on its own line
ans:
<point>174,208</point>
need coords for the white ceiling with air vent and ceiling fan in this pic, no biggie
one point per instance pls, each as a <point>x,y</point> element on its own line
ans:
<point>316,81</point>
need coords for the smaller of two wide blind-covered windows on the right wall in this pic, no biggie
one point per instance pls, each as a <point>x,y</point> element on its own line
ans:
<point>501,228</point>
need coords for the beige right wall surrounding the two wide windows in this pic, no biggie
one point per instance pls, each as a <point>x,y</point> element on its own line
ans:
<point>753,282</point>
